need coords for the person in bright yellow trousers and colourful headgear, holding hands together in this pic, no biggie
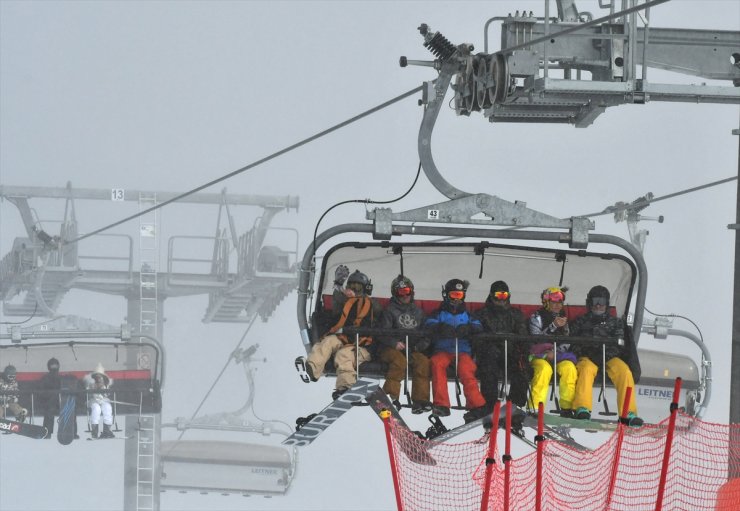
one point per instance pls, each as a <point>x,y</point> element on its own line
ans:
<point>551,320</point>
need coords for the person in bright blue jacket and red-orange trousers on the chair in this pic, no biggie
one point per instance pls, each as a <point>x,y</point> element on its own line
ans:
<point>450,327</point>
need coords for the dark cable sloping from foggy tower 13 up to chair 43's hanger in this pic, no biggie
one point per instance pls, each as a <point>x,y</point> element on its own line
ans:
<point>250,166</point>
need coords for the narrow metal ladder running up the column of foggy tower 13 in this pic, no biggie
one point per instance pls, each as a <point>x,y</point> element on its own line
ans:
<point>148,319</point>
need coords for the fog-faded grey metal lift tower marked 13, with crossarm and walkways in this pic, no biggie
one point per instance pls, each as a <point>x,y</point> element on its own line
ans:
<point>242,275</point>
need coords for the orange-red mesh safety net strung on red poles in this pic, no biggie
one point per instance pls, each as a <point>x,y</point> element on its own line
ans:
<point>448,477</point>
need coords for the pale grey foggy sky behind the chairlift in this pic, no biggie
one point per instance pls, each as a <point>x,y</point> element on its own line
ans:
<point>167,96</point>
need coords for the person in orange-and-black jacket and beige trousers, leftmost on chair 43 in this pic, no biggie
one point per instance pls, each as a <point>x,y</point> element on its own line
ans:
<point>357,309</point>
